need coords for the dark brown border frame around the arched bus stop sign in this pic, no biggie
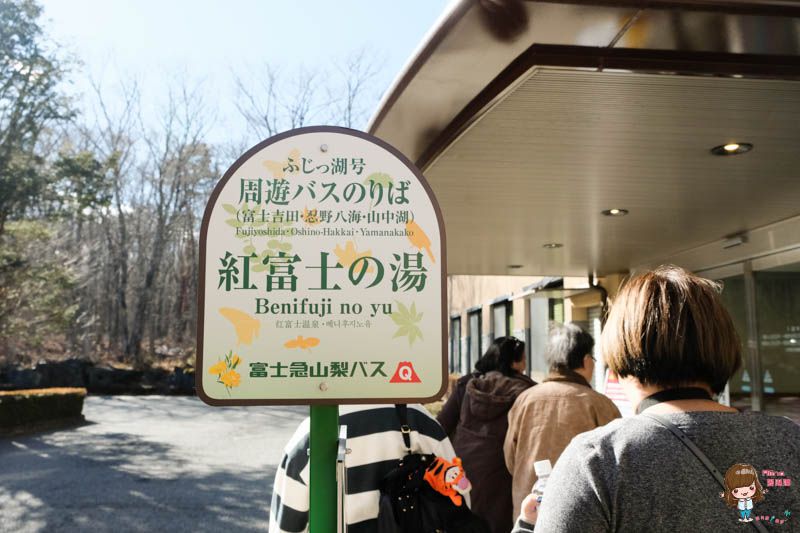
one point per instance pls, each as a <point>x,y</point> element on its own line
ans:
<point>218,188</point>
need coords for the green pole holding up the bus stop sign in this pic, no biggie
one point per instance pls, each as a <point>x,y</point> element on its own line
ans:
<point>324,439</point>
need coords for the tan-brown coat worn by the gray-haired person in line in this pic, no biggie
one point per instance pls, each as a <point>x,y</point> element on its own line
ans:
<point>543,421</point>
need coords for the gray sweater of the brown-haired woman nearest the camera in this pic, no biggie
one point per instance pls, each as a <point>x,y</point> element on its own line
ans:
<point>633,475</point>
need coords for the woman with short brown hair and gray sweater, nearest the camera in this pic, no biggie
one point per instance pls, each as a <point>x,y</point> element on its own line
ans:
<point>673,346</point>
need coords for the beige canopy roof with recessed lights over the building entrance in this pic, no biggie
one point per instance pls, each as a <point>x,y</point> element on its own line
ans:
<point>599,106</point>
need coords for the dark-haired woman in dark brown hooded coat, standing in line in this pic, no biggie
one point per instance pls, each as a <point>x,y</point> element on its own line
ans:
<point>475,417</point>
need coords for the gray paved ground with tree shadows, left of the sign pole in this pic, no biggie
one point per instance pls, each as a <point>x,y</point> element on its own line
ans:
<point>146,463</point>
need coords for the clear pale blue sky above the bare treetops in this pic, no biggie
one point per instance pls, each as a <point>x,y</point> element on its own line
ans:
<point>206,41</point>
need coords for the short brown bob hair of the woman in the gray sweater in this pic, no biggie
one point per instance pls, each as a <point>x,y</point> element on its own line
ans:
<point>669,328</point>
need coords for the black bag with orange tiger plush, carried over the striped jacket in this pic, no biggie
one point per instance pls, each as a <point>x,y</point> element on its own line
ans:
<point>408,504</point>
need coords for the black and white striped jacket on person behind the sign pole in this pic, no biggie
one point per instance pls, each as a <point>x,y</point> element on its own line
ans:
<point>376,444</point>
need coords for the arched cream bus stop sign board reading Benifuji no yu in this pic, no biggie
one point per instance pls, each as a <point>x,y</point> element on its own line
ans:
<point>322,261</point>
